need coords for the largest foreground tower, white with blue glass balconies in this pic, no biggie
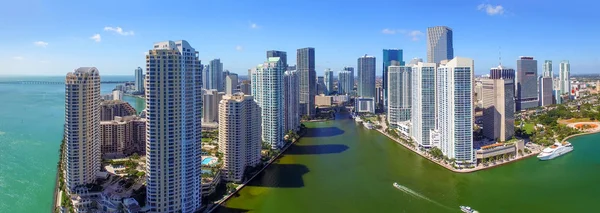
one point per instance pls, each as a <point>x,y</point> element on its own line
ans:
<point>173,136</point>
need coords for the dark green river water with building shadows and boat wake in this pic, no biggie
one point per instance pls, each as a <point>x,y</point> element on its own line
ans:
<point>342,167</point>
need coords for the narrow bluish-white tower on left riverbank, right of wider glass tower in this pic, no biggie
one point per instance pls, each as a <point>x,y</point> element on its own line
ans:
<point>291,97</point>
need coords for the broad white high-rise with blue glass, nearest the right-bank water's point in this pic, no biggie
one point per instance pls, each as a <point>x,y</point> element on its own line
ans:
<point>455,109</point>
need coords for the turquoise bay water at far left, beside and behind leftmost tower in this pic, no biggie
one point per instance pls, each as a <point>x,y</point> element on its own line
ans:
<point>31,119</point>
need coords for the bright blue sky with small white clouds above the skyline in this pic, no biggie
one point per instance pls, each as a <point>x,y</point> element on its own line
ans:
<point>55,37</point>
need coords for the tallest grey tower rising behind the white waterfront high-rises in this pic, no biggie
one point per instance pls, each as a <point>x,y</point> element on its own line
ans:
<point>439,44</point>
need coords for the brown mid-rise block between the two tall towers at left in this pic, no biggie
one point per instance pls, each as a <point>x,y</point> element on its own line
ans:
<point>122,136</point>
